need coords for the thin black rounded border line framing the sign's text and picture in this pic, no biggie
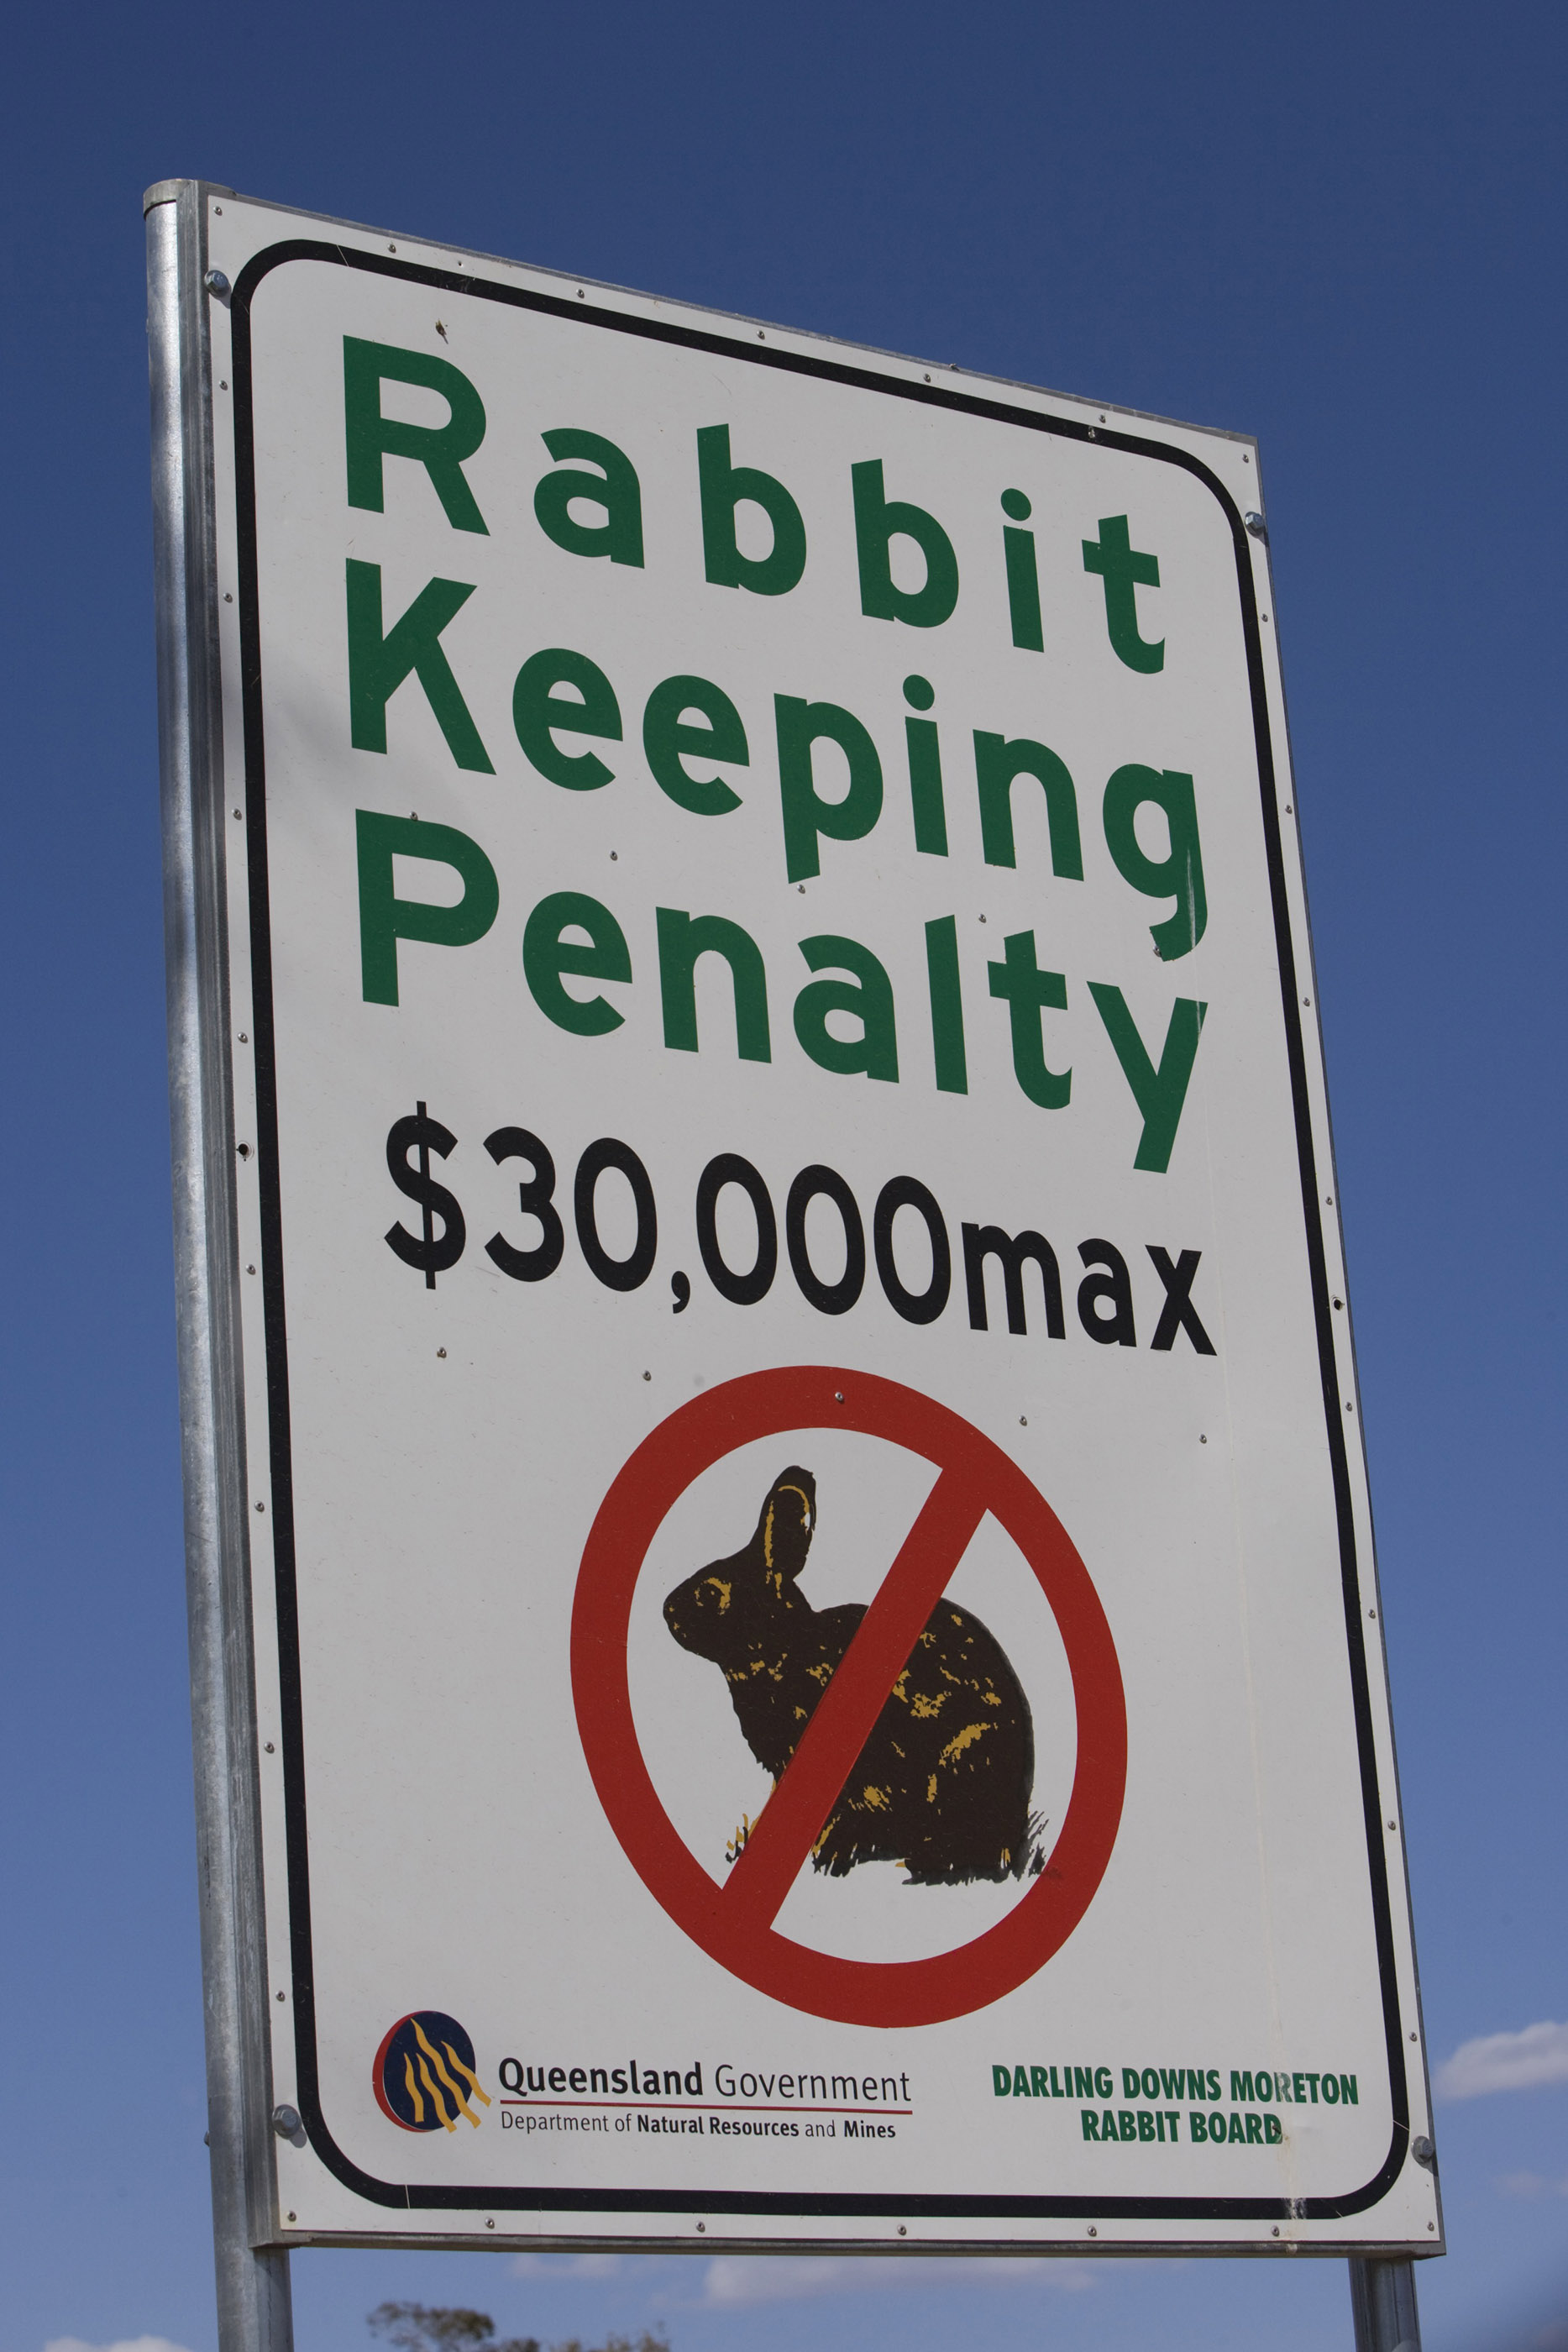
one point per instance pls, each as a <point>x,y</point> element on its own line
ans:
<point>540,2200</point>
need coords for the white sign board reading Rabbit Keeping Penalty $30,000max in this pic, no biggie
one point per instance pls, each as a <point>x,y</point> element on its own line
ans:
<point>817,1650</point>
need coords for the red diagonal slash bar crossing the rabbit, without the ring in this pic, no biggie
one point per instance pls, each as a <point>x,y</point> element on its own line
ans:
<point>855,1699</point>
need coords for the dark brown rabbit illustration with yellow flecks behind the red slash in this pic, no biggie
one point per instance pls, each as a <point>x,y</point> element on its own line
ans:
<point>946,1777</point>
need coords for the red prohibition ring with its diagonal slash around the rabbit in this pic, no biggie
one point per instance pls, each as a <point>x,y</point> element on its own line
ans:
<point>735,1923</point>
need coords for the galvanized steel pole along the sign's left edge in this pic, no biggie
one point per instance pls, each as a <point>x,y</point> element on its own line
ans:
<point>253,2271</point>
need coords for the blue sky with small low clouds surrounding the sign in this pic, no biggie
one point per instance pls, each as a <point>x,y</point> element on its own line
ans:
<point>1339,229</point>
